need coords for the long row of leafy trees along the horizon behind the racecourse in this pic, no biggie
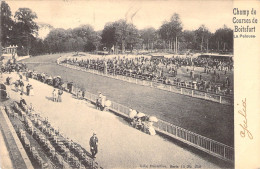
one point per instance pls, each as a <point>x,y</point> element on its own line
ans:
<point>118,36</point>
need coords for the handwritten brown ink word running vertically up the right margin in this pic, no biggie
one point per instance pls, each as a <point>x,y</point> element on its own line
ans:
<point>244,126</point>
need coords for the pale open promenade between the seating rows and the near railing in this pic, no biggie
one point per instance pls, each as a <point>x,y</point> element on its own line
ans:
<point>120,146</point>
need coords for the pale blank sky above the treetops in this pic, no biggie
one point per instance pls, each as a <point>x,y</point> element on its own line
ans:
<point>149,13</point>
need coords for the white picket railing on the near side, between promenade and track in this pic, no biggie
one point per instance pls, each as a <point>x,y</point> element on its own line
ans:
<point>205,144</point>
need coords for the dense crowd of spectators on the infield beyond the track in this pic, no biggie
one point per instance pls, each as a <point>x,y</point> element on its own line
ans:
<point>165,70</point>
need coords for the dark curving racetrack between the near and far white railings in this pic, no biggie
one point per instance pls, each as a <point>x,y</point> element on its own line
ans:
<point>209,119</point>
